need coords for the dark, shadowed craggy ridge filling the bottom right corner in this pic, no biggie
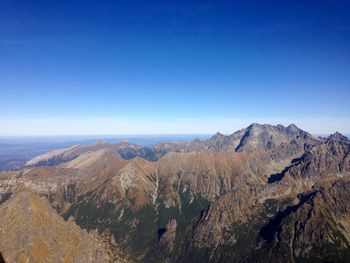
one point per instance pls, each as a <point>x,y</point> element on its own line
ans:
<point>315,229</point>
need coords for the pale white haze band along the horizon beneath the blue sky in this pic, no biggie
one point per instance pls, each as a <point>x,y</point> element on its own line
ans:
<point>157,126</point>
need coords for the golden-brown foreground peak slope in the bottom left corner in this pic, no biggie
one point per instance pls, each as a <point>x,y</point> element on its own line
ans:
<point>31,231</point>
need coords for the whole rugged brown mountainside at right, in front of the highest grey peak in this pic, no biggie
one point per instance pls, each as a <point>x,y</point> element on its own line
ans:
<point>302,218</point>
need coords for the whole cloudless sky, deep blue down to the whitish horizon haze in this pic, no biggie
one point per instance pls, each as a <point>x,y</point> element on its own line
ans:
<point>165,67</point>
